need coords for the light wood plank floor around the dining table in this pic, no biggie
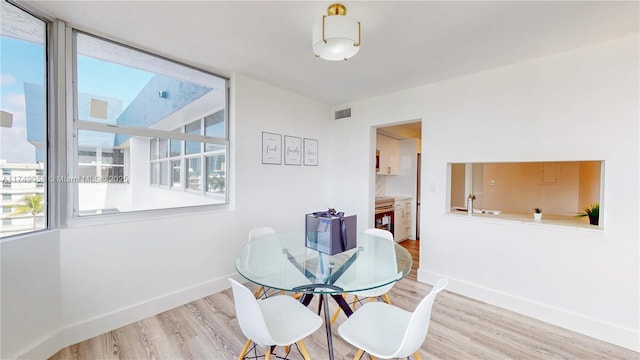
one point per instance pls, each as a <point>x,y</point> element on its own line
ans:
<point>461,328</point>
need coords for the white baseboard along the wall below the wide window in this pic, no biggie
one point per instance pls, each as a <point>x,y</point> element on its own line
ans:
<point>89,328</point>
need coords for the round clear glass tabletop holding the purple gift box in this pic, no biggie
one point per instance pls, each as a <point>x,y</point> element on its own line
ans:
<point>282,261</point>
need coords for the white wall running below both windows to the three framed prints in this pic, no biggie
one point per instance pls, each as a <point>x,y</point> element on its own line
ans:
<point>113,274</point>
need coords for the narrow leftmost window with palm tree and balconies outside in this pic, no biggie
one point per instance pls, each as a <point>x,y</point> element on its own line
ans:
<point>23,121</point>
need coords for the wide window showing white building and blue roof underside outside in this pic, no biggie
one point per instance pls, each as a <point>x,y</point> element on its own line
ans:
<point>149,133</point>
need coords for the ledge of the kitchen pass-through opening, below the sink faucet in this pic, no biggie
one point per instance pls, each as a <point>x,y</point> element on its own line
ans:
<point>548,220</point>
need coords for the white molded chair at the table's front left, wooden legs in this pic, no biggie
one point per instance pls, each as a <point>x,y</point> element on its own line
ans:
<point>276,321</point>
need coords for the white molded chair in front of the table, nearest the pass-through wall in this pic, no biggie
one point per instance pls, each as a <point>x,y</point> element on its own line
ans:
<point>386,331</point>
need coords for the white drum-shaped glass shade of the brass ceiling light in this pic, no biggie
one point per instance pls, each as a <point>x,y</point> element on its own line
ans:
<point>341,38</point>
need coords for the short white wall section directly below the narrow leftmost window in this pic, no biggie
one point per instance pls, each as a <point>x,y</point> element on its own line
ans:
<point>31,301</point>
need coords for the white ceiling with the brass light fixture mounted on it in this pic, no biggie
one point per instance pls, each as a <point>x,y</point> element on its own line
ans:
<point>404,44</point>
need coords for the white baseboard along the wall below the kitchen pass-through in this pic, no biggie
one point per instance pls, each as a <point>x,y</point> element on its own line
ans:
<point>611,333</point>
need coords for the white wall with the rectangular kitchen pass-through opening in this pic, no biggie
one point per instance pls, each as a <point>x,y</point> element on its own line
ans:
<point>577,105</point>
